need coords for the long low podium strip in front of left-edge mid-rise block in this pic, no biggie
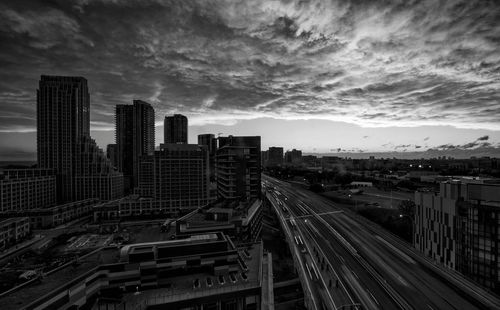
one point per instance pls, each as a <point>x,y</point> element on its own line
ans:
<point>56,215</point>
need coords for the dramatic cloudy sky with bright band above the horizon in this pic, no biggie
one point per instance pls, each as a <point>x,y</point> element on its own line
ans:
<point>323,76</point>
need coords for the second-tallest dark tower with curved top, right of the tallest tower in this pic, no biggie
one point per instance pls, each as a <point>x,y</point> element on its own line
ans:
<point>135,137</point>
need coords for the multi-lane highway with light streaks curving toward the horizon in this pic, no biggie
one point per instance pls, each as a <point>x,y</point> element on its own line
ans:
<point>378,269</point>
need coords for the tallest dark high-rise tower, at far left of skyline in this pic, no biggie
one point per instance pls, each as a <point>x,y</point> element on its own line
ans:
<point>63,118</point>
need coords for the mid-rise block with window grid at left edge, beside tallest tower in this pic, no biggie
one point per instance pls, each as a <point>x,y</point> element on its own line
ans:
<point>24,189</point>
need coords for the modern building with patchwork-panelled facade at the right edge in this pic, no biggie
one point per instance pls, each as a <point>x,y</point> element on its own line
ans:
<point>459,228</point>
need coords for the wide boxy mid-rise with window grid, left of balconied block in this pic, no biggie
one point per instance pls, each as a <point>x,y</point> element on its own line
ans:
<point>177,174</point>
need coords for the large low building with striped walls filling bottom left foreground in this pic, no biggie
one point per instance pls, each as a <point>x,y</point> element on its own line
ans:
<point>201,271</point>
